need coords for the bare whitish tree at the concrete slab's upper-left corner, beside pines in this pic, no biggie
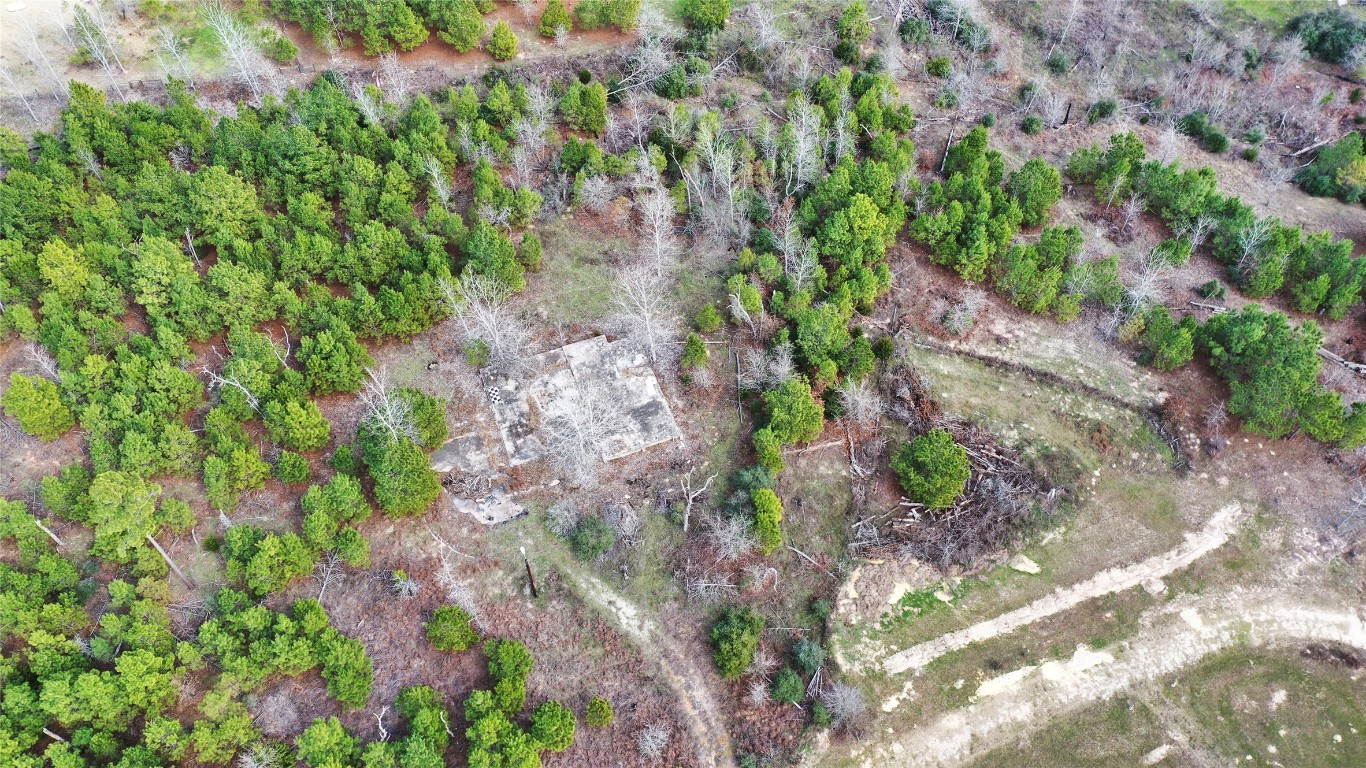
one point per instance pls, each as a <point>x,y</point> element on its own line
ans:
<point>483,310</point>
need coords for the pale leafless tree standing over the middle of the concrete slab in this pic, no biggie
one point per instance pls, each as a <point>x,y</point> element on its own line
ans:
<point>579,433</point>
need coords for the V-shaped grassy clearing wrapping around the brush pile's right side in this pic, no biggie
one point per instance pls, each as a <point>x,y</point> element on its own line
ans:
<point>1129,505</point>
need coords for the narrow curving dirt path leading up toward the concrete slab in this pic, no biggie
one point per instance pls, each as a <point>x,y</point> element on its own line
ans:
<point>706,724</point>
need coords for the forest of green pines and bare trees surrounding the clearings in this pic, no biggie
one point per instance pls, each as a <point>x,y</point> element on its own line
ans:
<point>191,290</point>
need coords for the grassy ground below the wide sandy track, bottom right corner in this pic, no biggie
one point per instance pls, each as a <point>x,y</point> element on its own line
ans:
<point>1226,710</point>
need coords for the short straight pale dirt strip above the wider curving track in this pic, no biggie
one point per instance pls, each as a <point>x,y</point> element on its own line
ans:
<point>1212,536</point>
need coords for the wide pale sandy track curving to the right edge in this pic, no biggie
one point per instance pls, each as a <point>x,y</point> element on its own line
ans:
<point>1028,699</point>
